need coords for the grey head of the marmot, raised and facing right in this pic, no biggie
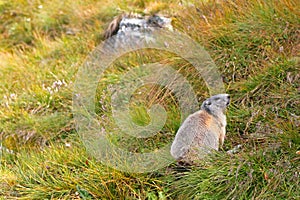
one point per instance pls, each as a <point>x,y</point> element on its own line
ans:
<point>217,104</point>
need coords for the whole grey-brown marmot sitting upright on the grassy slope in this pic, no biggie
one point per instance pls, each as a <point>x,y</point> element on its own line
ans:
<point>201,131</point>
